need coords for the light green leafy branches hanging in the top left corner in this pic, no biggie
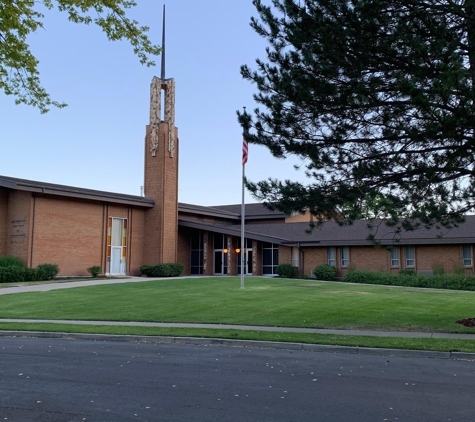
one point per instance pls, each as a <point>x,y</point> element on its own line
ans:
<point>19,75</point>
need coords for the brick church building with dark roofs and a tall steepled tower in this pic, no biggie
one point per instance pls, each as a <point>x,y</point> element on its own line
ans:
<point>78,227</point>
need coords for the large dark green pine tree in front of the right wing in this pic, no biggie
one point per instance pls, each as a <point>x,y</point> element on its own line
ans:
<point>377,98</point>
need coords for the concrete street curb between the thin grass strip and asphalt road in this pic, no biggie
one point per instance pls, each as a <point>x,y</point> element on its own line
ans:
<point>319,348</point>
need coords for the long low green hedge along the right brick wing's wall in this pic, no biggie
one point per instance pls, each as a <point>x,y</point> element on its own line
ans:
<point>411,279</point>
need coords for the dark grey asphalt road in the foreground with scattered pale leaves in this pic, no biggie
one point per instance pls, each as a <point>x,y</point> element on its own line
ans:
<point>75,380</point>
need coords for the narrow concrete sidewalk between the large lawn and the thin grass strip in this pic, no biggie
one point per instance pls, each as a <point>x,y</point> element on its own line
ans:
<point>403,334</point>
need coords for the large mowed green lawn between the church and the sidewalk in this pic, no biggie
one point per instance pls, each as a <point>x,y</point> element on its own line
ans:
<point>264,301</point>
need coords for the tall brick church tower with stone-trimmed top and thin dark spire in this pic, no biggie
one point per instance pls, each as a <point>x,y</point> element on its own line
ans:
<point>161,170</point>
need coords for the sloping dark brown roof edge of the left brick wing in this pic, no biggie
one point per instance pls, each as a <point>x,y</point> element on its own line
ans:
<point>74,192</point>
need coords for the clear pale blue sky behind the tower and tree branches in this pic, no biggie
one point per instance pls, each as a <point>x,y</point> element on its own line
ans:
<point>98,141</point>
